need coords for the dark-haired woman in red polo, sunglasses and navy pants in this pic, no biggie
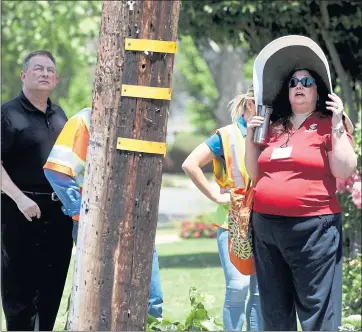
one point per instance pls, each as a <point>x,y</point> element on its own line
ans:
<point>296,216</point>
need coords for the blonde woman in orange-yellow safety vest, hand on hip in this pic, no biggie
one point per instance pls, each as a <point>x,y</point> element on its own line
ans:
<point>228,174</point>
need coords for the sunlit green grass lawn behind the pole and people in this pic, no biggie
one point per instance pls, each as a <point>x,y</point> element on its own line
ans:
<point>183,264</point>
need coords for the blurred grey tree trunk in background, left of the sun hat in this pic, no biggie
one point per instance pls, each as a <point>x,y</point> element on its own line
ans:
<point>226,66</point>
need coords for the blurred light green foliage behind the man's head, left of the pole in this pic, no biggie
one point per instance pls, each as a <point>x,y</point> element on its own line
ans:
<point>66,28</point>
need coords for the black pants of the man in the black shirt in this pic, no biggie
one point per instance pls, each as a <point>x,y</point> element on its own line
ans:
<point>35,257</point>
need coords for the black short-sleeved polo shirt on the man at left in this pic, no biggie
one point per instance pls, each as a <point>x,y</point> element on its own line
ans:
<point>27,137</point>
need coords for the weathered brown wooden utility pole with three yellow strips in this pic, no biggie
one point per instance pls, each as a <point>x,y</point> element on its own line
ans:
<point>121,188</point>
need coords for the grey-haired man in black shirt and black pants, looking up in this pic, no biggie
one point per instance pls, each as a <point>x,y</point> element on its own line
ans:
<point>36,239</point>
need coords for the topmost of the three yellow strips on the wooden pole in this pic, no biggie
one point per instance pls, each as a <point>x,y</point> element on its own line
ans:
<point>150,45</point>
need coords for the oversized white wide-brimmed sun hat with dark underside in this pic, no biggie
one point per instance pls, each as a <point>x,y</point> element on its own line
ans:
<point>280,58</point>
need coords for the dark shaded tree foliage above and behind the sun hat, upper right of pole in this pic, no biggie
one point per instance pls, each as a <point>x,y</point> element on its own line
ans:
<point>334,25</point>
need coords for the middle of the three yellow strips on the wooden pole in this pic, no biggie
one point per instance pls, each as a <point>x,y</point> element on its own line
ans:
<point>149,92</point>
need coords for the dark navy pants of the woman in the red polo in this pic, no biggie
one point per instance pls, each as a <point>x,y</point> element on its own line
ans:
<point>299,270</point>
